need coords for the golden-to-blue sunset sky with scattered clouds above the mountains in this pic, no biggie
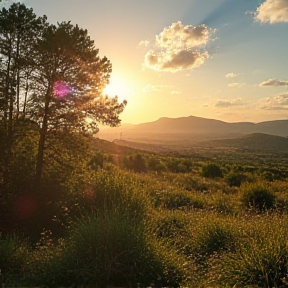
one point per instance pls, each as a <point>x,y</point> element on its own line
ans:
<point>219,59</point>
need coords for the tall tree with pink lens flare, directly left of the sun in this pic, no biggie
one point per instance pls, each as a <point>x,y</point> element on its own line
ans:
<point>69,80</point>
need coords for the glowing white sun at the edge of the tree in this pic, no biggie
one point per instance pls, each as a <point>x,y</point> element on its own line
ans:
<point>117,87</point>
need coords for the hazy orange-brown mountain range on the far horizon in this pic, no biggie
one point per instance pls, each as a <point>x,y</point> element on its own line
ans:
<point>201,128</point>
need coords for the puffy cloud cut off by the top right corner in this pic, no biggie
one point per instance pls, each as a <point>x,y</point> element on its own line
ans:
<point>272,11</point>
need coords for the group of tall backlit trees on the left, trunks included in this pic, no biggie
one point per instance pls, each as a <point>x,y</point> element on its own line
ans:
<point>52,77</point>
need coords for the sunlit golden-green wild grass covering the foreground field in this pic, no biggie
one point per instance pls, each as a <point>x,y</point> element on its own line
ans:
<point>123,228</point>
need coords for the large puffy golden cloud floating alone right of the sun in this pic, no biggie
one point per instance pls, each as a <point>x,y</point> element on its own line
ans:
<point>179,47</point>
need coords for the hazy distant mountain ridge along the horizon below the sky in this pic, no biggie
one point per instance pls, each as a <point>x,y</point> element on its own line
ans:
<point>199,125</point>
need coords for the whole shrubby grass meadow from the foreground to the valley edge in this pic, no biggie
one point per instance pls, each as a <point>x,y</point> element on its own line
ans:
<point>123,217</point>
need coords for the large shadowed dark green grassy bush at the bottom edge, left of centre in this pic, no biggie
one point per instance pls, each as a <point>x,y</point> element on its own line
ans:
<point>108,249</point>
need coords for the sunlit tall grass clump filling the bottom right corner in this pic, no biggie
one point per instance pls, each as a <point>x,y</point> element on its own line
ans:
<point>260,258</point>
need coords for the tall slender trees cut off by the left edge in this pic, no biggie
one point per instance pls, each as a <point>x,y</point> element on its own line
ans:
<point>19,30</point>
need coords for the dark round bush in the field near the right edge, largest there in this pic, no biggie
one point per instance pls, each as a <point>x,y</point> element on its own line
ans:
<point>257,196</point>
